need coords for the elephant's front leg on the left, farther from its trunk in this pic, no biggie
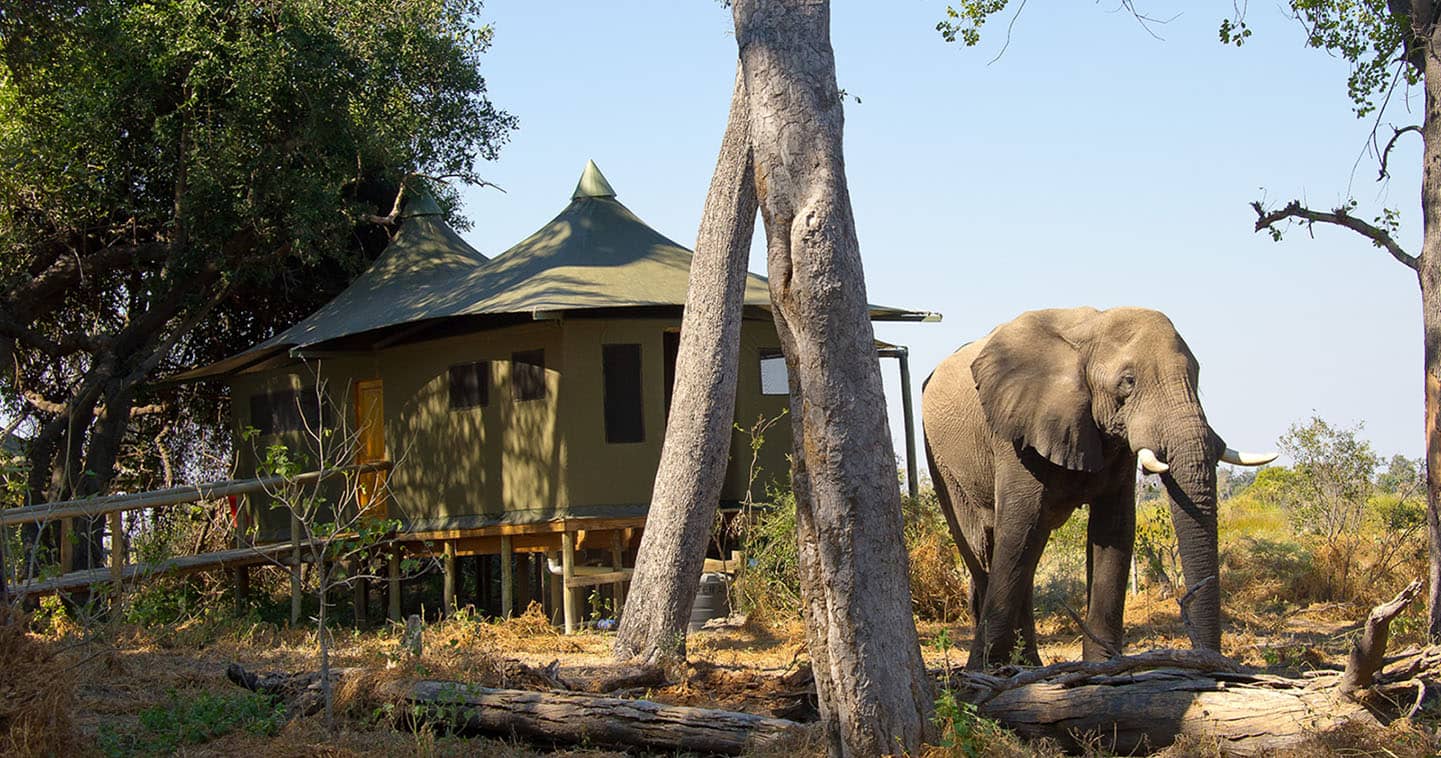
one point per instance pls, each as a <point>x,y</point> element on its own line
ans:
<point>1020,538</point>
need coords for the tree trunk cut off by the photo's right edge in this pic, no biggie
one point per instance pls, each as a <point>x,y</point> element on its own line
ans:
<point>1429,273</point>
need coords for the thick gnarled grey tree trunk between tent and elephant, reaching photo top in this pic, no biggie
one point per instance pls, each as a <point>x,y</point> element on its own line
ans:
<point>871,682</point>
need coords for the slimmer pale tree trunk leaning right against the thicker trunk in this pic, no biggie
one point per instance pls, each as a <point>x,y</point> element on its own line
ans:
<point>698,436</point>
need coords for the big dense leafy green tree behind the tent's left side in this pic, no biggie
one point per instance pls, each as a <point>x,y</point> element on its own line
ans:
<point>185,177</point>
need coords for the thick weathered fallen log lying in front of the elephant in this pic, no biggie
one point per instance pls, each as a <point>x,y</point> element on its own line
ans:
<point>1145,703</point>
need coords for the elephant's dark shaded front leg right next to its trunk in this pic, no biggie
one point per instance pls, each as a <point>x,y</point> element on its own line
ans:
<point>1110,537</point>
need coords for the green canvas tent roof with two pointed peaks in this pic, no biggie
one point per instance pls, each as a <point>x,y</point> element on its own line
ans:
<point>596,254</point>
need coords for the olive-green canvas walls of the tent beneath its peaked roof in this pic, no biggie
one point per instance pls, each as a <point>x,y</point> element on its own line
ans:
<point>515,460</point>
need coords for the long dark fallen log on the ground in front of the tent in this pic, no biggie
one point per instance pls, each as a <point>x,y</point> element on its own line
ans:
<point>553,717</point>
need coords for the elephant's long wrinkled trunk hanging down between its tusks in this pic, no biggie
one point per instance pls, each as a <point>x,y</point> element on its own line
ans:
<point>1192,488</point>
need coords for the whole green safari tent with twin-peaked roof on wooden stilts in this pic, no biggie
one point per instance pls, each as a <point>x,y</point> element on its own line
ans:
<point>521,400</point>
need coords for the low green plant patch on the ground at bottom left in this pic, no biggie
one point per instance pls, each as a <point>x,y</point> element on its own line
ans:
<point>194,720</point>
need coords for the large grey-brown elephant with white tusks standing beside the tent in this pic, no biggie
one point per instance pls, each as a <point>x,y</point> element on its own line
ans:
<point>1053,411</point>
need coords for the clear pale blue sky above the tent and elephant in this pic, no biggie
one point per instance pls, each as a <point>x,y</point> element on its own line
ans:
<point>1090,165</point>
